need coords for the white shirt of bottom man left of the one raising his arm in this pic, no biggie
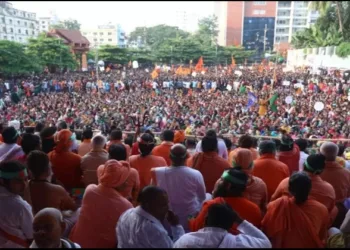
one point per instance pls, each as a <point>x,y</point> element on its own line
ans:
<point>138,229</point>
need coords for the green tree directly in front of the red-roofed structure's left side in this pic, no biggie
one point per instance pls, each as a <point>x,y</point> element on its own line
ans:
<point>51,52</point>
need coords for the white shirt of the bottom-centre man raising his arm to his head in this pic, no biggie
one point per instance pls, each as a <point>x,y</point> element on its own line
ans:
<point>212,237</point>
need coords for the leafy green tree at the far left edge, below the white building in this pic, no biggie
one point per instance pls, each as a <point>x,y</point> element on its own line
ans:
<point>14,59</point>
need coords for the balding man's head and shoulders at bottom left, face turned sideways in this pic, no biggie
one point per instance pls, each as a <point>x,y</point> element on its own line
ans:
<point>48,227</point>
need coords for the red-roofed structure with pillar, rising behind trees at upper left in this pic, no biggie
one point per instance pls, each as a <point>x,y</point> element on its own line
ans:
<point>77,42</point>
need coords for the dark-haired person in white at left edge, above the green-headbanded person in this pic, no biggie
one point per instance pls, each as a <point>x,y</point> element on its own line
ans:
<point>9,150</point>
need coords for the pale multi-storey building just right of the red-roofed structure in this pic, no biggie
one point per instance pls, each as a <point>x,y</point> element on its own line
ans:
<point>106,35</point>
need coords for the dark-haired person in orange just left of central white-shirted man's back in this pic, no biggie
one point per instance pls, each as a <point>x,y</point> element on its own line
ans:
<point>145,161</point>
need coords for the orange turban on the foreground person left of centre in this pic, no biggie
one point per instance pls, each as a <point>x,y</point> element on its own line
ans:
<point>113,173</point>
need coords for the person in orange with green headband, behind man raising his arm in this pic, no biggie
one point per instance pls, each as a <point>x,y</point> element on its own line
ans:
<point>230,189</point>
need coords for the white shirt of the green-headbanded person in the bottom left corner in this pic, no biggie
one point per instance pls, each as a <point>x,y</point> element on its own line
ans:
<point>16,218</point>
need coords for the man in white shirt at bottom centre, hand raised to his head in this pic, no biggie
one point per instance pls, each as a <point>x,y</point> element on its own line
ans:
<point>215,233</point>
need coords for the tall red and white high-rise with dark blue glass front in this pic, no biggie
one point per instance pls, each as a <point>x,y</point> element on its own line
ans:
<point>247,23</point>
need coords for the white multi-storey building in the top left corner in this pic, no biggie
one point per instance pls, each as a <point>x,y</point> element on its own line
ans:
<point>17,25</point>
